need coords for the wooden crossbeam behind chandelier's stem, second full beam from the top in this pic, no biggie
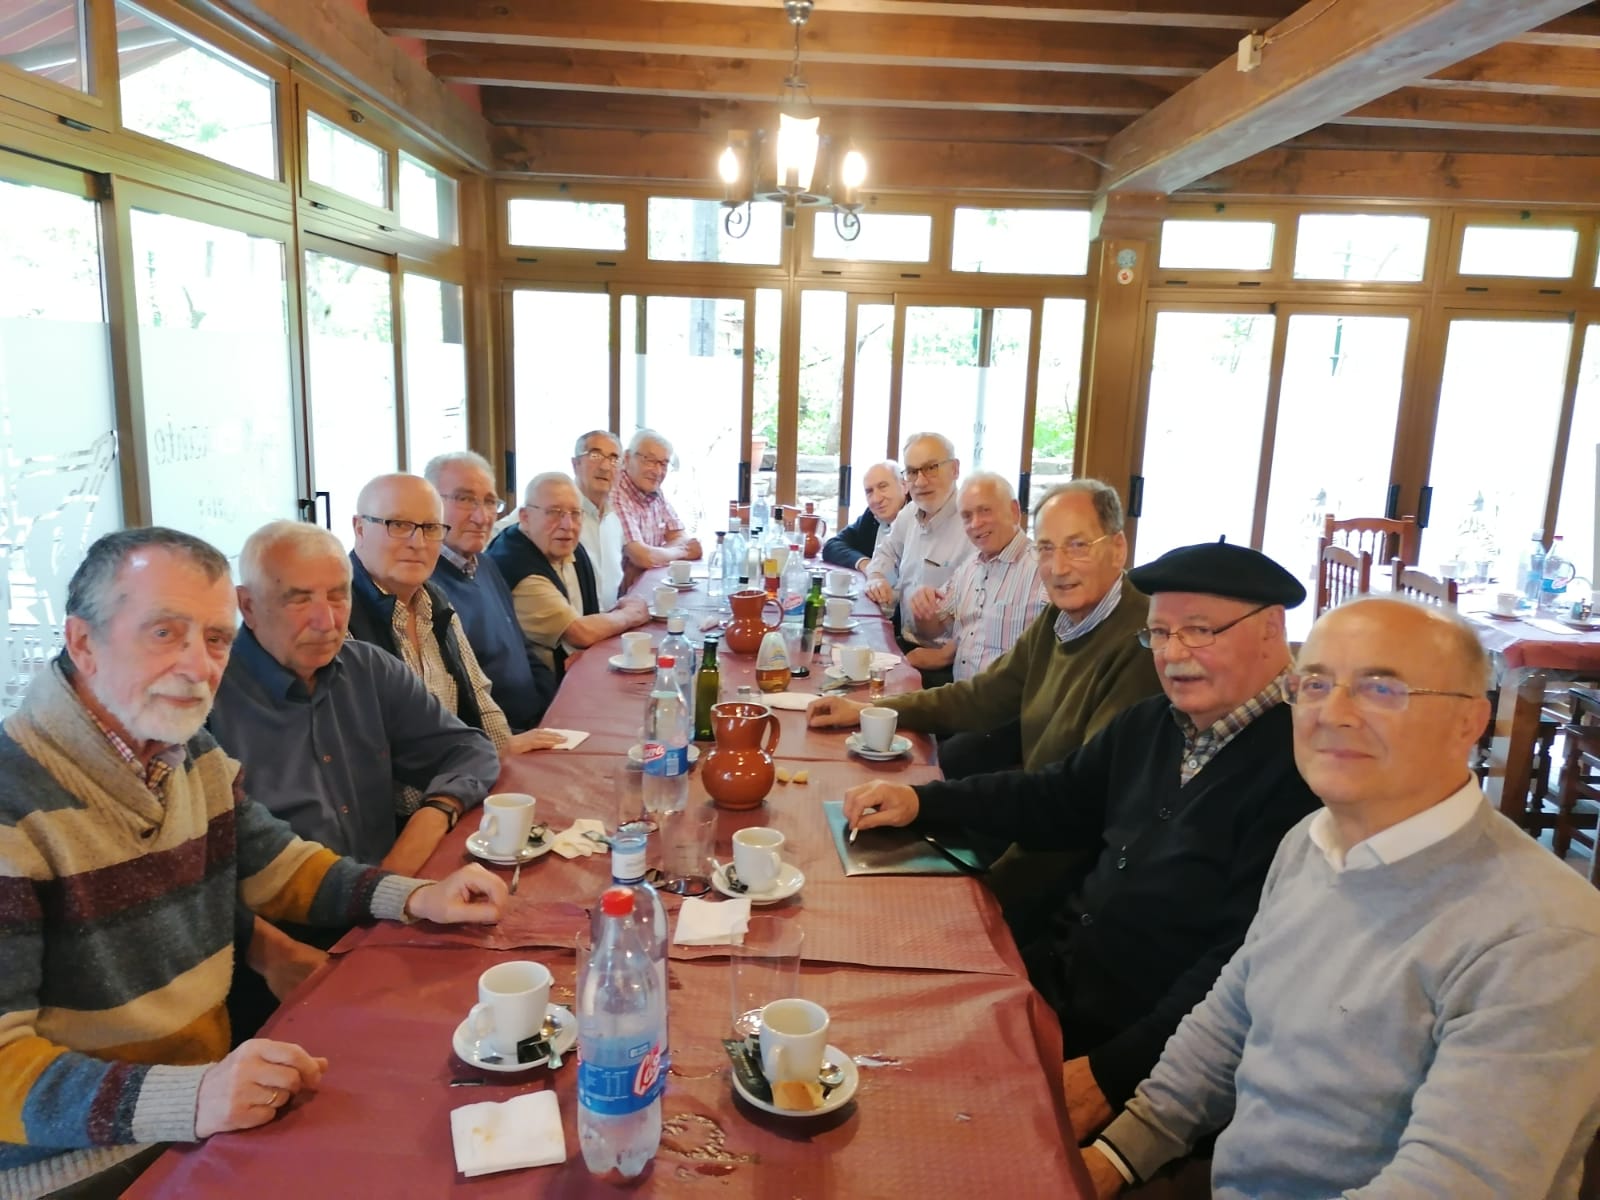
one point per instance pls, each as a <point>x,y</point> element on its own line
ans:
<point>831,82</point>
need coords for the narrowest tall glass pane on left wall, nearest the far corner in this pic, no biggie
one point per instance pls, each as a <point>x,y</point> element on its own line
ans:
<point>436,370</point>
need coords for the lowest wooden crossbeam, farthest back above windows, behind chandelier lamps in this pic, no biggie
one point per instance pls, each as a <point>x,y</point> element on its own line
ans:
<point>618,156</point>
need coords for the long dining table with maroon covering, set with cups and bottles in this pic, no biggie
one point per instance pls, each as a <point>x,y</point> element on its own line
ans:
<point>959,1057</point>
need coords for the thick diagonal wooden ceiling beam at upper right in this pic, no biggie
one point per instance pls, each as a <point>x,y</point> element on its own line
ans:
<point>1319,65</point>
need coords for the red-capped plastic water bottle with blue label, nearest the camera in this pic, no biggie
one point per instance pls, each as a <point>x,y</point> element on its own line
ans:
<point>622,1038</point>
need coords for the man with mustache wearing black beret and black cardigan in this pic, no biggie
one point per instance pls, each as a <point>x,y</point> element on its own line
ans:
<point>1183,799</point>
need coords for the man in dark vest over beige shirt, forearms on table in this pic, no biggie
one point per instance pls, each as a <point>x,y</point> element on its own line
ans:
<point>553,582</point>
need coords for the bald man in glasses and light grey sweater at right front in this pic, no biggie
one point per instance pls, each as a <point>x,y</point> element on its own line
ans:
<point>1417,1007</point>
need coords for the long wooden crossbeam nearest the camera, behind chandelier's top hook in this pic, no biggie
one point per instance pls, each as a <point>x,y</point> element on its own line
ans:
<point>866,39</point>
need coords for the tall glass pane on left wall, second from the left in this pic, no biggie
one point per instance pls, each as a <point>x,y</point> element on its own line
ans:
<point>214,345</point>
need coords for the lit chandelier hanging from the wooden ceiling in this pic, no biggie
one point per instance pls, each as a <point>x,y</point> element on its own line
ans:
<point>799,146</point>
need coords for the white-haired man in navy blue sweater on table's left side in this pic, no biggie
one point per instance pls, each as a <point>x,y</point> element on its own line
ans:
<point>524,684</point>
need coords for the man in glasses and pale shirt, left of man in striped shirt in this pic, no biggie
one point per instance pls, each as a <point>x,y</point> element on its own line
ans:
<point>927,542</point>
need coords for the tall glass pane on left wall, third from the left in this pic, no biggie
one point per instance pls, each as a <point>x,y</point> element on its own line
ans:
<point>353,382</point>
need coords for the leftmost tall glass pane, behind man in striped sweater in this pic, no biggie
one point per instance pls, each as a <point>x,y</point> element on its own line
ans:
<point>58,449</point>
